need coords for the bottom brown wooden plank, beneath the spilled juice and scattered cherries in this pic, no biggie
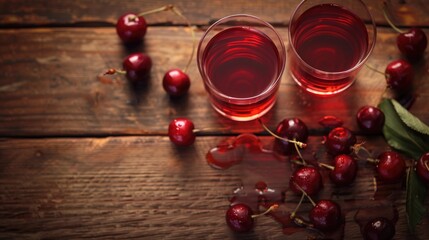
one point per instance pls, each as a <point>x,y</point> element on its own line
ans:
<point>144,187</point>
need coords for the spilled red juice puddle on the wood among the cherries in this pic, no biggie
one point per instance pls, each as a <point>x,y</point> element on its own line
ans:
<point>265,180</point>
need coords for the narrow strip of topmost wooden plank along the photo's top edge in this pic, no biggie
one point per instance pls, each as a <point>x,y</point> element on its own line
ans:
<point>105,13</point>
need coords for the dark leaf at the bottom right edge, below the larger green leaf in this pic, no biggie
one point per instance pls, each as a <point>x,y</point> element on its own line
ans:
<point>416,192</point>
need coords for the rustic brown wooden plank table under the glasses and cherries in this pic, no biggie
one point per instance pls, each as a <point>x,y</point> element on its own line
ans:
<point>88,157</point>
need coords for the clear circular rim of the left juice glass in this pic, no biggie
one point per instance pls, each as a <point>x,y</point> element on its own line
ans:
<point>282,57</point>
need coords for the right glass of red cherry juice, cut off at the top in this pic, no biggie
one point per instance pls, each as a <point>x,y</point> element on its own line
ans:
<point>329,42</point>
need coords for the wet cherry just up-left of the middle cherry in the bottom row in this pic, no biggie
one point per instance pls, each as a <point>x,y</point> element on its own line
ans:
<point>308,178</point>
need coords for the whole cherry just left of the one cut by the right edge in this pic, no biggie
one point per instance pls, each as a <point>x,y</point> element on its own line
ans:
<point>391,167</point>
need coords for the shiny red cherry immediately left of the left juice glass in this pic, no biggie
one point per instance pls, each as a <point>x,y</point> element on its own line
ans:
<point>176,83</point>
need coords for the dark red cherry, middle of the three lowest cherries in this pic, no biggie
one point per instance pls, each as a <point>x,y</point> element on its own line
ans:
<point>326,215</point>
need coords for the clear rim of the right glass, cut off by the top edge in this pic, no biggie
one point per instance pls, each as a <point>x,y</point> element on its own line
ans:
<point>358,65</point>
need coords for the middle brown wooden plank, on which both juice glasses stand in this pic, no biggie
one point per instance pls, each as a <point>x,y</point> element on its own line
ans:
<point>49,86</point>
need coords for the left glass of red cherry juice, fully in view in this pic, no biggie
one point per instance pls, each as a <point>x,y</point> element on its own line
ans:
<point>241,59</point>
